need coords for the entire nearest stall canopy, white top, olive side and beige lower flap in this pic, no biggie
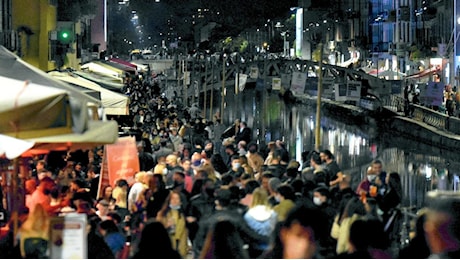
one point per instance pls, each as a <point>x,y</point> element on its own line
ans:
<point>43,116</point>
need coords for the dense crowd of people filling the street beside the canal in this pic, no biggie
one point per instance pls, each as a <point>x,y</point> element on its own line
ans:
<point>206,191</point>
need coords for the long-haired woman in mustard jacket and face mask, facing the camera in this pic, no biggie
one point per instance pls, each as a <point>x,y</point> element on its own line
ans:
<point>172,216</point>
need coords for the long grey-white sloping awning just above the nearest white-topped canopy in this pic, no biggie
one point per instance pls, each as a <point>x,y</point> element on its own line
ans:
<point>12,66</point>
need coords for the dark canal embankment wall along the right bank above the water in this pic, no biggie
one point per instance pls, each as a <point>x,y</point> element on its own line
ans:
<point>425,125</point>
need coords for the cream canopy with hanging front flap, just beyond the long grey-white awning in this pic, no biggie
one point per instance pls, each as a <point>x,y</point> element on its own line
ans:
<point>113,103</point>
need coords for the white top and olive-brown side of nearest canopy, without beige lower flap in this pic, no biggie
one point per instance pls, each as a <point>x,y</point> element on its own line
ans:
<point>28,110</point>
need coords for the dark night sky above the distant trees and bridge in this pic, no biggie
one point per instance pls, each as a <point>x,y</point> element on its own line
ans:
<point>236,14</point>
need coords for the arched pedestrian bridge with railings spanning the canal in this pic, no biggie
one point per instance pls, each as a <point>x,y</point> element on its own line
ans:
<point>209,72</point>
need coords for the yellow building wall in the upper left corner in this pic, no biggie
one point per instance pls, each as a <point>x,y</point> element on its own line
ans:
<point>40,17</point>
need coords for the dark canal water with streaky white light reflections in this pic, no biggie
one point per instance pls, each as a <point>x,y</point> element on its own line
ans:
<point>422,167</point>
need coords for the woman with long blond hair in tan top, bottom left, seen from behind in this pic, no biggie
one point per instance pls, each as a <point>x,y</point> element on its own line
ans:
<point>34,234</point>
